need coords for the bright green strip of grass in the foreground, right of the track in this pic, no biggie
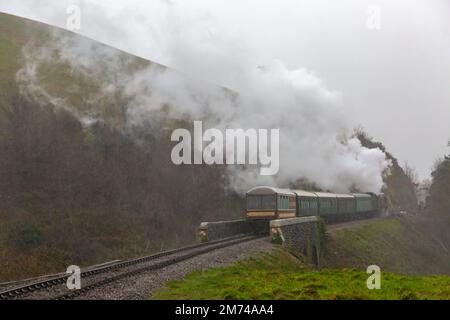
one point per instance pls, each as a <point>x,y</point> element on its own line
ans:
<point>279,276</point>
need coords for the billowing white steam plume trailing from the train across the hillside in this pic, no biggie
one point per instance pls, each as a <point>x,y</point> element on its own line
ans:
<point>316,140</point>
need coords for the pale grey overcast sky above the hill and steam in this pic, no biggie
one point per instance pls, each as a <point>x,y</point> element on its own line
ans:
<point>395,79</point>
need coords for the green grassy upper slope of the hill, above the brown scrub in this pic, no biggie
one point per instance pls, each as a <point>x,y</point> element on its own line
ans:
<point>25,42</point>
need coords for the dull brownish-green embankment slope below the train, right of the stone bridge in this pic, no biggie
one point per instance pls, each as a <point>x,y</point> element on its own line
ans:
<point>403,245</point>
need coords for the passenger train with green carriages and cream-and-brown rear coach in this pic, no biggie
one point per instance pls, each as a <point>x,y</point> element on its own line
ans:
<point>276,203</point>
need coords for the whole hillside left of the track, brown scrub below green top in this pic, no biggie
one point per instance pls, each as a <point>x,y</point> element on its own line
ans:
<point>74,194</point>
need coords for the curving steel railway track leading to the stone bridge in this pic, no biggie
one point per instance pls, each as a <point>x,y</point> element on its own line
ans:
<point>56,289</point>
